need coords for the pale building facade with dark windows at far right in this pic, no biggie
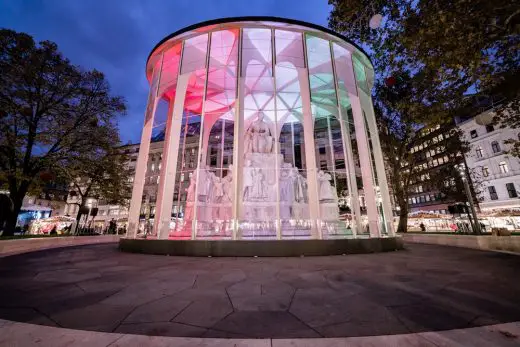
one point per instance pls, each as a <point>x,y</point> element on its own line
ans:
<point>498,172</point>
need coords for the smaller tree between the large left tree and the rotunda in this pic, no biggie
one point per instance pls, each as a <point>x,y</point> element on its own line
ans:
<point>102,175</point>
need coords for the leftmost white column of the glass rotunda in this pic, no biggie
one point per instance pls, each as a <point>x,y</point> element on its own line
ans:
<point>140,167</point>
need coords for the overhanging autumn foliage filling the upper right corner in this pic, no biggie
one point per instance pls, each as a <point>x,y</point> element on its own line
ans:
<point>454,44</point>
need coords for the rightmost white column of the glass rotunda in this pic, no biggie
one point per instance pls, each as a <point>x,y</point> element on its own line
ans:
<point>366,103</point>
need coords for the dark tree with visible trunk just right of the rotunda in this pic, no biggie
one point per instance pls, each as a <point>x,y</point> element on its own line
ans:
<point>401,134</point>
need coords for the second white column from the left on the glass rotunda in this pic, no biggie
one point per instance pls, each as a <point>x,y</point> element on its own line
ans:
<point>164,205</point>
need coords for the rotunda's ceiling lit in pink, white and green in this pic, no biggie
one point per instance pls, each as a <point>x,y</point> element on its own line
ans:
<point>261,83</point>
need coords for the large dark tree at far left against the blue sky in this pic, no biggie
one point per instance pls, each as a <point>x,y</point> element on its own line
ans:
<point>50,111</point>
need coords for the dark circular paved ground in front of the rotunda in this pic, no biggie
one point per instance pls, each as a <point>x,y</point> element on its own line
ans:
<point>423,288</point>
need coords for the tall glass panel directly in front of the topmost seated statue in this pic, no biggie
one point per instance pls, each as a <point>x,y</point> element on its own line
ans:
<point>258,211</point>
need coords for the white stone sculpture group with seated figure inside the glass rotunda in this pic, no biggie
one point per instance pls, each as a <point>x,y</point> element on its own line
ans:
<point>261,188</point>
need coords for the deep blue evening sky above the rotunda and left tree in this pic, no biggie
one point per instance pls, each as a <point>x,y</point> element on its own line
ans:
<point>116,36</point>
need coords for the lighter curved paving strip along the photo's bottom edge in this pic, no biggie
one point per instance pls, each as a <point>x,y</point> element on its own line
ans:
<point>28,335</point>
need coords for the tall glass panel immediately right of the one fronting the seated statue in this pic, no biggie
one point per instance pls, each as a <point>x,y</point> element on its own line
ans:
<point>294,203</point>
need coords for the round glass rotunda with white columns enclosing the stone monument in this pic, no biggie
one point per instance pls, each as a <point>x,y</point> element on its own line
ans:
<point>266,131</point>
